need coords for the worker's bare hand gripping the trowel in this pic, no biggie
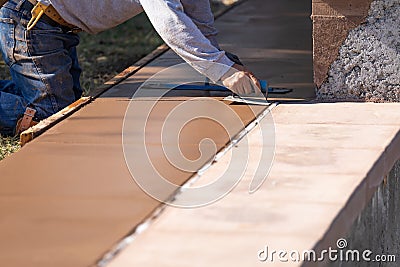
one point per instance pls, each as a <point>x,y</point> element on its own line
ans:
<point>241,81</point>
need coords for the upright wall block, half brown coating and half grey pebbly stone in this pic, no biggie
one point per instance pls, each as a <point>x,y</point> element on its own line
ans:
<point>357,50</point>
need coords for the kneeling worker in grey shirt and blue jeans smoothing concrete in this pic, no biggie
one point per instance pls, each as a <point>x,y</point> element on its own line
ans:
<point>39,38</point>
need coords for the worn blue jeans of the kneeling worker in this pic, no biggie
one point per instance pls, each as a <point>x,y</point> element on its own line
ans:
<point>43,65</point>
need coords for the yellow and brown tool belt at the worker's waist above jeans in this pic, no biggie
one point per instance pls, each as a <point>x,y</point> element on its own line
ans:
<point>47,14</point>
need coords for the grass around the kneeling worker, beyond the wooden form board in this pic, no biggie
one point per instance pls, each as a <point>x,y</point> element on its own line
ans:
<point>103,56</point>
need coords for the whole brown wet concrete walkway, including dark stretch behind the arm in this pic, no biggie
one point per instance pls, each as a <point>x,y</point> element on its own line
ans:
<point>68,197</point>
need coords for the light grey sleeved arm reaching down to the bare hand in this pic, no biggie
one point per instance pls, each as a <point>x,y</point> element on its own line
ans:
<point>184,37</point>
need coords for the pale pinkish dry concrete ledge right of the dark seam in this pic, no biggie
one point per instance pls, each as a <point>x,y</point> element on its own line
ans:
<point>327,167</point>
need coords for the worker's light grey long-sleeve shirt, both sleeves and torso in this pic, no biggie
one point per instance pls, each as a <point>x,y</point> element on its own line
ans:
<point>186,26</point>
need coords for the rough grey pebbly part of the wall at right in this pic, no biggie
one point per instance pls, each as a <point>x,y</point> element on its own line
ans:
<point>368,66</point>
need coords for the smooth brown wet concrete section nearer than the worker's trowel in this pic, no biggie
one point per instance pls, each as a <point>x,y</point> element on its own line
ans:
<point>74,183</point>
